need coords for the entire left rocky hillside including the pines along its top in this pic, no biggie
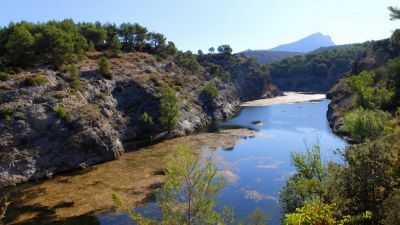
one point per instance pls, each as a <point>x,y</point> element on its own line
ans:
<point>60,113</point>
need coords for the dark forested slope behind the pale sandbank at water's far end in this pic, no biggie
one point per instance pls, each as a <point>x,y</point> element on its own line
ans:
<point>317,71</point>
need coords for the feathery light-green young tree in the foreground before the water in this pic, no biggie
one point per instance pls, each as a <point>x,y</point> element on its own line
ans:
<point>189,193</point>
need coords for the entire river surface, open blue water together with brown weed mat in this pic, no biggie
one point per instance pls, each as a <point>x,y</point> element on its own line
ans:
<point>255,163</point>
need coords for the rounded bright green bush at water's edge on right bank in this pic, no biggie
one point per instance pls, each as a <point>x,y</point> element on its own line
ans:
<point>362,124</point>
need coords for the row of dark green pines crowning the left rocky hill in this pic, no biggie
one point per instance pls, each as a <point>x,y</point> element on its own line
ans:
<point>56,43</point>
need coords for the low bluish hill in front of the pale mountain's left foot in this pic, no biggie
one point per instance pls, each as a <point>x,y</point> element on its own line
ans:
<point>265,56</point>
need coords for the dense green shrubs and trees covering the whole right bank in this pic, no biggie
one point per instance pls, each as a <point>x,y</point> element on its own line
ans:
<point>364,189</point>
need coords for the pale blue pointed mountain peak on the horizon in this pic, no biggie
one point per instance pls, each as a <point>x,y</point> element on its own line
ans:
<point>307,44</point>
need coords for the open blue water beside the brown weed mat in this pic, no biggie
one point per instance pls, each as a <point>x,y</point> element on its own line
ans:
<point>256,166</point>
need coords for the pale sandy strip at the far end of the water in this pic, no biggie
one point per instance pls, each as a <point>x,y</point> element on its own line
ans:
<point>286,98</point>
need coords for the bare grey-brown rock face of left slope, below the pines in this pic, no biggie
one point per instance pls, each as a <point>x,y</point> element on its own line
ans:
<point>55,126</point>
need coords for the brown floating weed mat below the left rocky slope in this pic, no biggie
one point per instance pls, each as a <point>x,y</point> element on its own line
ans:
<point>74,197</point>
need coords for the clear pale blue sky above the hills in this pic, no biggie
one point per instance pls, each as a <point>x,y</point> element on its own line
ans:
<point>243,24</point>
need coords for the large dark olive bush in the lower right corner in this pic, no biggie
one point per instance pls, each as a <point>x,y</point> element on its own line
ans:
<point>369,177</point>
